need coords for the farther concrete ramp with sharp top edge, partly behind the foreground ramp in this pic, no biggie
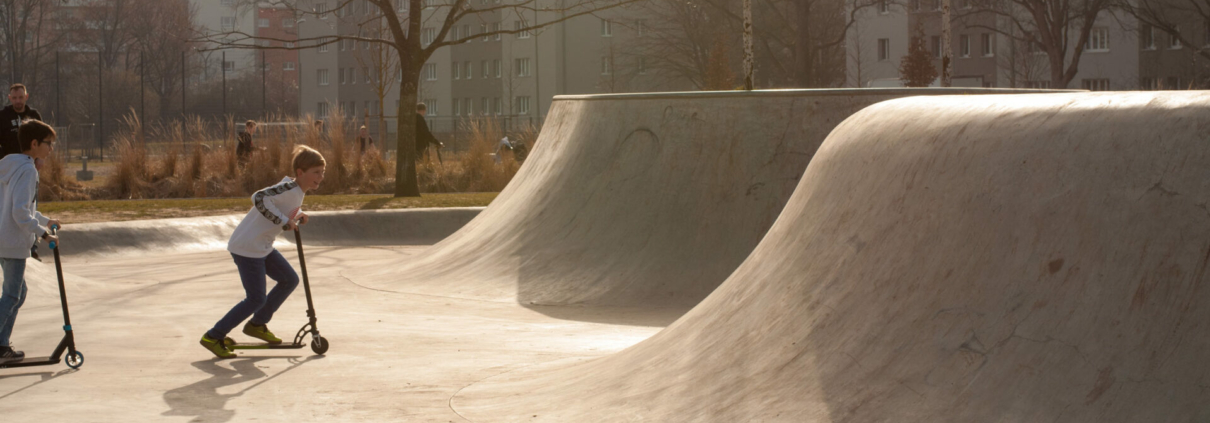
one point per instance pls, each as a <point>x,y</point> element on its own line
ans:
<point>637,199</point>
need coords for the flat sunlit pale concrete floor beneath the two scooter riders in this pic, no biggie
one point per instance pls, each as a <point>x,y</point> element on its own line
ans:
<point>394,357</point>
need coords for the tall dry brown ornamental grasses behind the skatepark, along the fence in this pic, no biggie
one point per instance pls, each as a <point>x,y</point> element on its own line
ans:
<point>197,160</point>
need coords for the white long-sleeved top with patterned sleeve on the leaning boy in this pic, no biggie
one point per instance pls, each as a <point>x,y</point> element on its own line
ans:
<point>272,208</point>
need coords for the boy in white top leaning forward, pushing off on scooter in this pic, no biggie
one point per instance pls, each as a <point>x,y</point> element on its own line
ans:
<point>252,247</point>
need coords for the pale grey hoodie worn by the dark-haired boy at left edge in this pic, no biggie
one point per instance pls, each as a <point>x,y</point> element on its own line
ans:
<point>20,222</point>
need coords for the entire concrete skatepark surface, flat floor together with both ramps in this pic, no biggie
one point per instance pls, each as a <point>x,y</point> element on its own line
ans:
<point>941,259</point>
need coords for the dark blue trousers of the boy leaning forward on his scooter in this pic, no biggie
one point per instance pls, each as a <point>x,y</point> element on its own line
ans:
<point>257,305</point>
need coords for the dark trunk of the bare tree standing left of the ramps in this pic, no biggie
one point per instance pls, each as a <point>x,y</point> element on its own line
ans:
<point>406,184</point>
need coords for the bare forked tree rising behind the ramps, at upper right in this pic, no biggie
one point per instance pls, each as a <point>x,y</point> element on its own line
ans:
<point>1059,28</point>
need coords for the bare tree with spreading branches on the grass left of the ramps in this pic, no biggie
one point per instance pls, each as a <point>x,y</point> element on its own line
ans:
<point>406,34</point>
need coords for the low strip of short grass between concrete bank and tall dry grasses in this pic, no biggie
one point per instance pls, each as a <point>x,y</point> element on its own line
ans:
<point>85,212</point>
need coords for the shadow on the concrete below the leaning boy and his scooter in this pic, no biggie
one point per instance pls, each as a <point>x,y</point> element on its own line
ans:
<point>204,401</point>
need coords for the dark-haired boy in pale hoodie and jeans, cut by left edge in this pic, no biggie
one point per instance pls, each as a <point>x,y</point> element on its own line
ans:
<point>21,225</point>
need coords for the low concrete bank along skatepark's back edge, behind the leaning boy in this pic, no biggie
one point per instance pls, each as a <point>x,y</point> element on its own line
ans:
<point>344,228</point>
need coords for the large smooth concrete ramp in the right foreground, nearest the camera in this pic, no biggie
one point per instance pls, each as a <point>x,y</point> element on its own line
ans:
<point>957,259</point>
